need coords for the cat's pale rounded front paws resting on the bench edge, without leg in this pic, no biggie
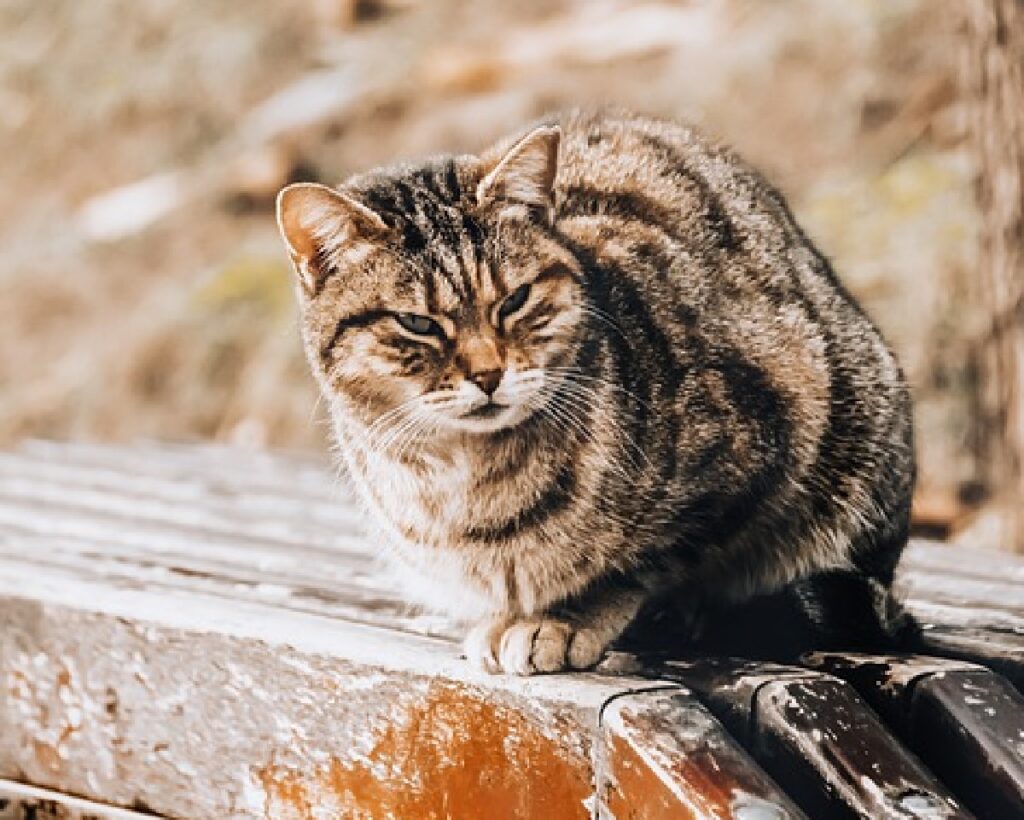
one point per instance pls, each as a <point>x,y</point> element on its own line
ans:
<point>529,646</point>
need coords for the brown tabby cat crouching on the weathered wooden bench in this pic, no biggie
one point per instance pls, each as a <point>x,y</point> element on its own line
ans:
<point>598,366</point>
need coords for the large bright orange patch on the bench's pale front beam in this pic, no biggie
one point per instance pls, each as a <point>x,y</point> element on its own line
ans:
<point>455,755</point>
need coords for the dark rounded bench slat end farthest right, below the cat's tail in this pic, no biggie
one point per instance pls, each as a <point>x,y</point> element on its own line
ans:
<point>965,722</point>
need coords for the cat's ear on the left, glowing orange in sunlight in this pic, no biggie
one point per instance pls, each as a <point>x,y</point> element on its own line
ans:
<point>317,223</point>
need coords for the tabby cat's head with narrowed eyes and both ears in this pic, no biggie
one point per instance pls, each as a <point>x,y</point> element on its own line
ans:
<point>438,296</point>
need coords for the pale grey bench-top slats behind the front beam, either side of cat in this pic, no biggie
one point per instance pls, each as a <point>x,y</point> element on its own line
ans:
<point>255,526</point>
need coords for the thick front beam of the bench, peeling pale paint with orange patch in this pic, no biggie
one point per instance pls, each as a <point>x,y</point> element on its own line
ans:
<point>195,707</point>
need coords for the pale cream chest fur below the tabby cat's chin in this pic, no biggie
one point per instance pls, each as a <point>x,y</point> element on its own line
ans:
<point>428,510</point>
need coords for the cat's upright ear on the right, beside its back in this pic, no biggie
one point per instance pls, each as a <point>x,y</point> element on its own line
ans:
<point>526,176</point>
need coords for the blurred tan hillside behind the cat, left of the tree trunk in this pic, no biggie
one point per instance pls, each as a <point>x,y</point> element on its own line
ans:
<point>144,291</point>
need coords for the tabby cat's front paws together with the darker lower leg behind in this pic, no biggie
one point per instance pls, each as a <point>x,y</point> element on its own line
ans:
<point>574,635</point>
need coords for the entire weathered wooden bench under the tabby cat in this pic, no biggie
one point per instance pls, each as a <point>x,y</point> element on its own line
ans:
<point>203,633</point>
